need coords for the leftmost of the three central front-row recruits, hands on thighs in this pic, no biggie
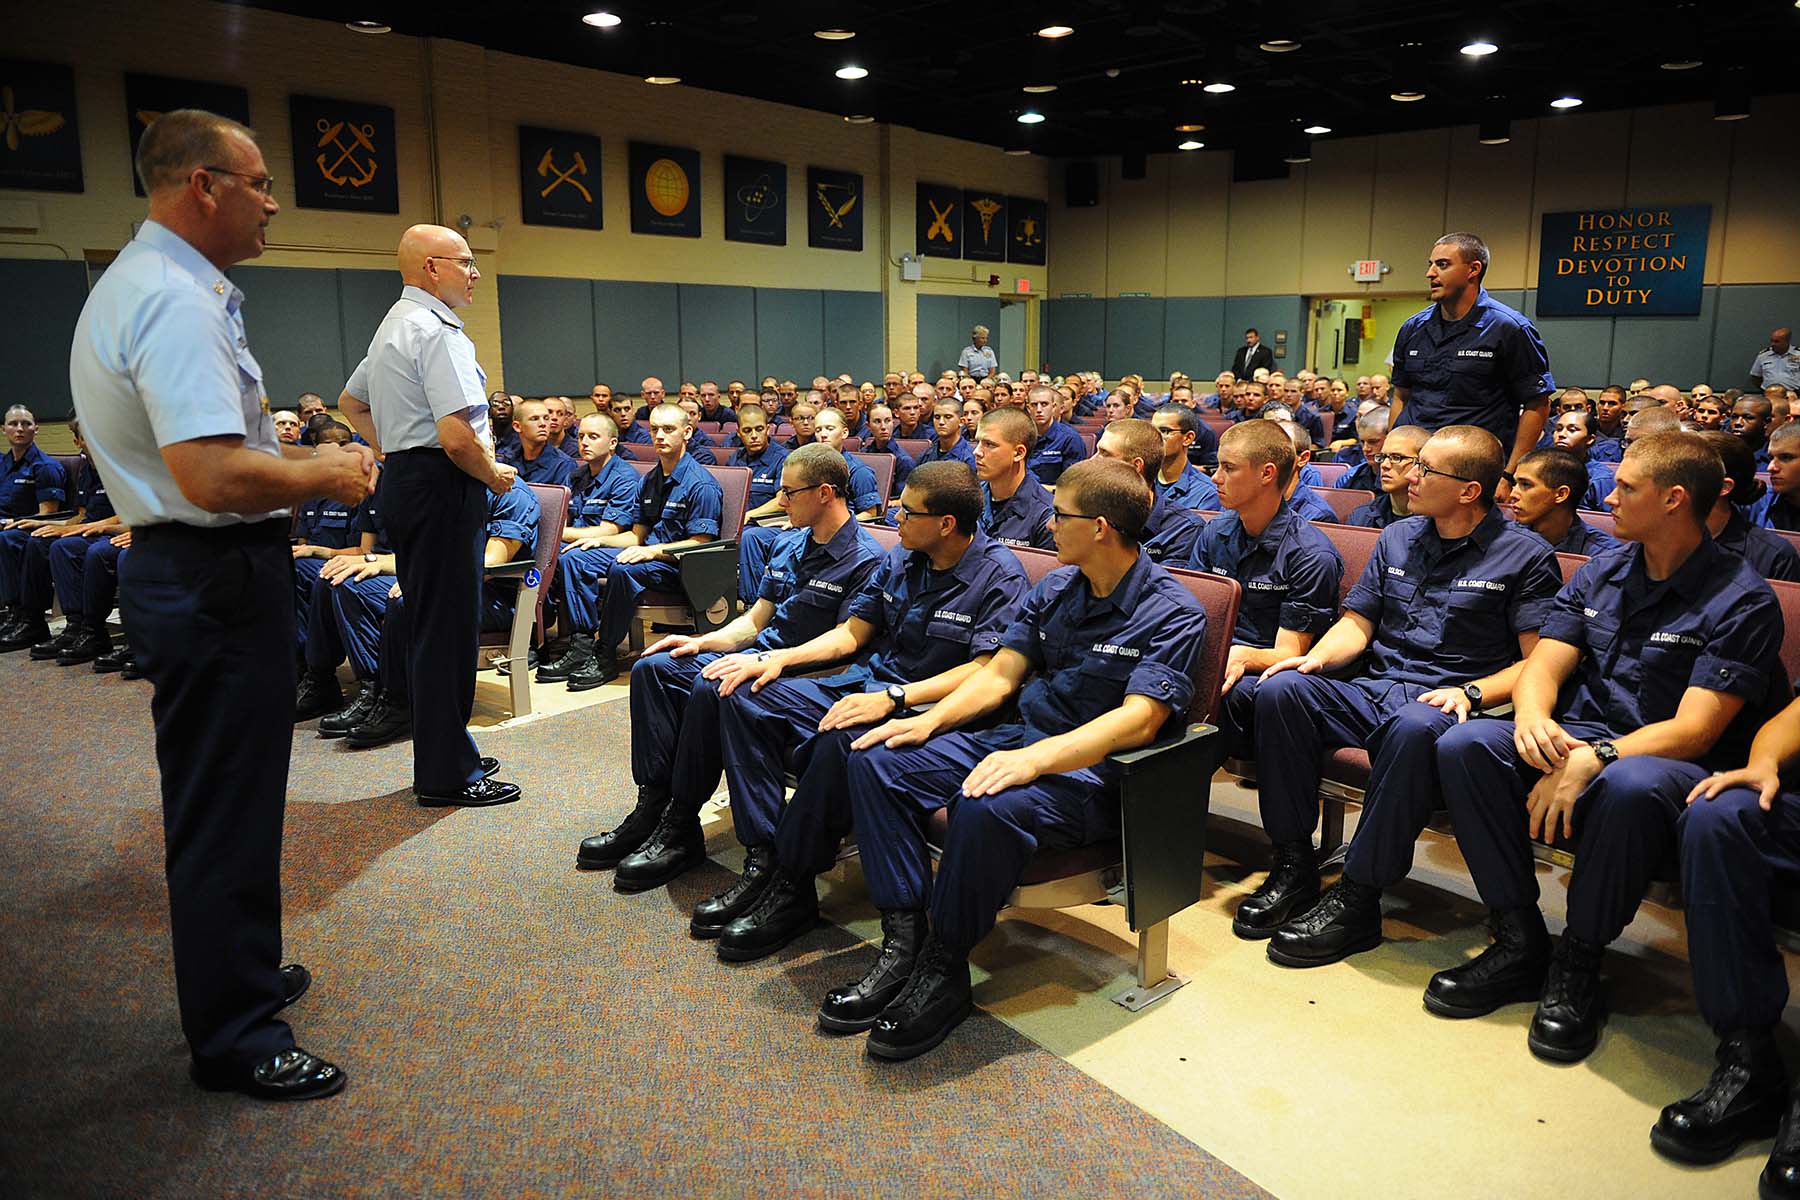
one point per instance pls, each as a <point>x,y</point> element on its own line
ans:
<point>813,577</point>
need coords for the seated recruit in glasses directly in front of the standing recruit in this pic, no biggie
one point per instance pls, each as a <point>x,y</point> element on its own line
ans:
<point>1450,598</point>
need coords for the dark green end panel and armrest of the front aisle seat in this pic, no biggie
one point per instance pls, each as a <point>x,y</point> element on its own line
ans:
<point>1165,791</point>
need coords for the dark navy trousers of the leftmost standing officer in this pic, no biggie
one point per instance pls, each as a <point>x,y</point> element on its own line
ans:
<point>210,614</point>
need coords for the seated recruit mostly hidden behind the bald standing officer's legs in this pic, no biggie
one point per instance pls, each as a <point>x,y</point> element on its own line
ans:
<point>381,632</point>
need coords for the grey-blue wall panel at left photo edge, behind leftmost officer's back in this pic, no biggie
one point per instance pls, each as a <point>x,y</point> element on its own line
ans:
<point>40,301</point>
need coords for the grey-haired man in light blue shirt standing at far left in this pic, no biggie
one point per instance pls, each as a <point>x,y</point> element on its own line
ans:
<point>172,407</point>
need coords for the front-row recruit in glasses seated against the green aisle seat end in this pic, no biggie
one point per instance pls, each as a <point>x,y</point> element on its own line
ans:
<point>1101,659</point>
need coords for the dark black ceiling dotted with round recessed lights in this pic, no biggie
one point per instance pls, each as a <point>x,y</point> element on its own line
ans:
<point>958,69</point>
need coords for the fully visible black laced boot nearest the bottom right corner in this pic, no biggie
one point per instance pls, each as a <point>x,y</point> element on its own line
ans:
<point>1743,1100</point>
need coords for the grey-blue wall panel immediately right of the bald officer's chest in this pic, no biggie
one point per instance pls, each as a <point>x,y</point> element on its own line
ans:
<point>548,328</point>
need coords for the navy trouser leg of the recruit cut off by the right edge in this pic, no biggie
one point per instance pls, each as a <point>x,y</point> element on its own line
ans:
<point>1732,855</point>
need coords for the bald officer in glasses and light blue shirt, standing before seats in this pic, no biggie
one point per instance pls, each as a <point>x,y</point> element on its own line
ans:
<point>429,406</point>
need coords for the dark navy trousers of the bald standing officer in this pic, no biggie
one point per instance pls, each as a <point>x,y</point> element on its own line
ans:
<point>438,521</point>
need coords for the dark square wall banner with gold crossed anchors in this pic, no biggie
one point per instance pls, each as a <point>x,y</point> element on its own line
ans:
<point>345,156</point>
